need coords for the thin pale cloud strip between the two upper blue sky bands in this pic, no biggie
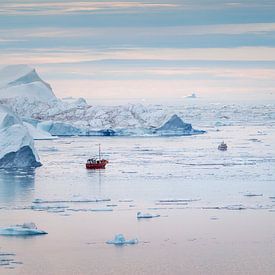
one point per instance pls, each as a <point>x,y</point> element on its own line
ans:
<point>227,29</point>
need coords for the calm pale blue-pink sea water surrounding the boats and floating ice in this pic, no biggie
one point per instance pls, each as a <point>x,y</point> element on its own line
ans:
<point>203,233</point>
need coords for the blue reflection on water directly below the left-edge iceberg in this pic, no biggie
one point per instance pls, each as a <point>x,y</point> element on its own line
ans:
<point>16,185</point>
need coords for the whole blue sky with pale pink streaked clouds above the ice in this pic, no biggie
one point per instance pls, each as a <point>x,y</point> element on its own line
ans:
<point>143,49</point>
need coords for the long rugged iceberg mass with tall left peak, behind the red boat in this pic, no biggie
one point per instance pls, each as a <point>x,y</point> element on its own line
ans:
<point>33,100</point>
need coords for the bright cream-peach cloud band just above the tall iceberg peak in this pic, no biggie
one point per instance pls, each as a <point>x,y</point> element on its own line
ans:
<point>66,55</point>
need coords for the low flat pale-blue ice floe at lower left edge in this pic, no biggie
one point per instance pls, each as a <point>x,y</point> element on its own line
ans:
<point>26,229</point>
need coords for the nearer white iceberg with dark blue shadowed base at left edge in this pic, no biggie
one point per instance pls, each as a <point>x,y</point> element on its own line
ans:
<point>16,144</point>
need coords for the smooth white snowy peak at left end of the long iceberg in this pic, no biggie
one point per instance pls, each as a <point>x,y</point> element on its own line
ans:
<point>22,81</point>
